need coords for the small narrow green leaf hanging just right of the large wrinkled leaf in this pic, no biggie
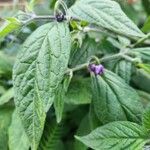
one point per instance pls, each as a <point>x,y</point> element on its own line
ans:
<point>59,103</point>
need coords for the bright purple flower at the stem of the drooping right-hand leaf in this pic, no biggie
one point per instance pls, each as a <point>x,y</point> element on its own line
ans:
<point>96,69</point>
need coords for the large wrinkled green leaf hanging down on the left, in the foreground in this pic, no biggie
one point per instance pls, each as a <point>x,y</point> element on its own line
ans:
<point>38,71</point>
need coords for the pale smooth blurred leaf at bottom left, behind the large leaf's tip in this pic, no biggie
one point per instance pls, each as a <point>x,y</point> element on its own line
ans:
<point>17,137</point>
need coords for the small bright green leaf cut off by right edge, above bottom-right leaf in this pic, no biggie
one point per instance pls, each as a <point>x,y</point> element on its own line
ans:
<point>146,118</point>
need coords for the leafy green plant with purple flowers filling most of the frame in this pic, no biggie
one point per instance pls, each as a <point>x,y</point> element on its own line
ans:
<point>80,80</point>
